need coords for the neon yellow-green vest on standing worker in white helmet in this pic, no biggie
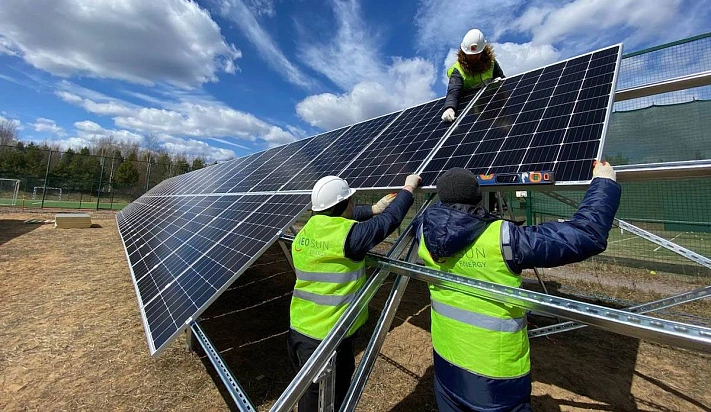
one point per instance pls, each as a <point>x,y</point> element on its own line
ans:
<point>326,280</point>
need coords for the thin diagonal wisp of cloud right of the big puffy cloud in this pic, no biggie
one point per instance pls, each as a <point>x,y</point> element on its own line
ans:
<point>240,14</point>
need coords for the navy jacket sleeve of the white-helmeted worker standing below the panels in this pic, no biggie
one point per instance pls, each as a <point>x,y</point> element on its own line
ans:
<point>371,230</point>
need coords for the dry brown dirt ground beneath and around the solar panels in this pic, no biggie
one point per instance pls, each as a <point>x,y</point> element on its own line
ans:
<point>71,338</point>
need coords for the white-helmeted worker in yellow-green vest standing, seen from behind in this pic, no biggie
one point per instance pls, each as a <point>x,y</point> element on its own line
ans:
<point>329,261</point>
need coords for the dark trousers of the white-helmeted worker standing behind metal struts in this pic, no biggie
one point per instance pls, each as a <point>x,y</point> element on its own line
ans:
<point>300,349</point>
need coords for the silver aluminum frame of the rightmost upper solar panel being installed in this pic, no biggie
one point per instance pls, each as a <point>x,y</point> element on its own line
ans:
<point>567,185</point>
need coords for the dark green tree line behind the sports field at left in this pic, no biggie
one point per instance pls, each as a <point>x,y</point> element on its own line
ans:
<point>105,165</point>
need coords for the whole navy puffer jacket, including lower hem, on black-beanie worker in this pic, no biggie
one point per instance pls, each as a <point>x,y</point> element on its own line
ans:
<point>448,228</point>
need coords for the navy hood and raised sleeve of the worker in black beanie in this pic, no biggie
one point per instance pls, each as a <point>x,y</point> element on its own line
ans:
<point>449,228</point>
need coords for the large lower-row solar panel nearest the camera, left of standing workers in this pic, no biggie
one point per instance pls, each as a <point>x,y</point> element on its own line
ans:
<point>185,250</point>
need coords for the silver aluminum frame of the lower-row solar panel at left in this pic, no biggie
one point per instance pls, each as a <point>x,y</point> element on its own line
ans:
<point>155,352</point>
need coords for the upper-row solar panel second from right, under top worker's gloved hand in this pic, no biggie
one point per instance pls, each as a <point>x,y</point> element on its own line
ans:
<point>402,147</point>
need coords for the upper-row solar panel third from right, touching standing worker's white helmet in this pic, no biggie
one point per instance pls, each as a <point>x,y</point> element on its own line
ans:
<point>338,155</point>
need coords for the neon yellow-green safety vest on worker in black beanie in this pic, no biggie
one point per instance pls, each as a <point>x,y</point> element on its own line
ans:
<point>483,336</point>
